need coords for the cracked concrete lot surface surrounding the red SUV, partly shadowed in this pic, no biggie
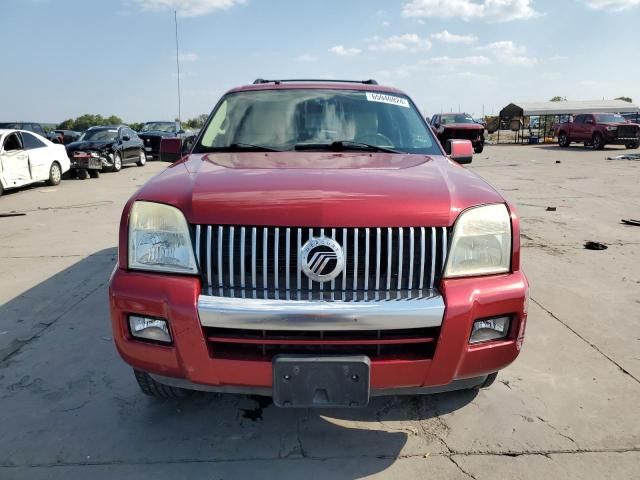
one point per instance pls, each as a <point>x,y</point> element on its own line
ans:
<point>567,408</point>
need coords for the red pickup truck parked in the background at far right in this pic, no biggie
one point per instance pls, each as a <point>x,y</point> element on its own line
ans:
<point>598,130</point>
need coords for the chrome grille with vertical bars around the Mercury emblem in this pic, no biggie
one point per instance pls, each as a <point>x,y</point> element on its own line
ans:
<point>267,258</point>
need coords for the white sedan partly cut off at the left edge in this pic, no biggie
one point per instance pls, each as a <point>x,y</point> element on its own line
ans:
<point>26,157</point>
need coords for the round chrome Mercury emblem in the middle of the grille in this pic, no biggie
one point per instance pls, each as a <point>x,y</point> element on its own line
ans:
<point>322,259</point>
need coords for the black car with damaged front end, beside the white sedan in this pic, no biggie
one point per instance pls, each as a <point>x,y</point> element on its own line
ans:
<point>115,146</point>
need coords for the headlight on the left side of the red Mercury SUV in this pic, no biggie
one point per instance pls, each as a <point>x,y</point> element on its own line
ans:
<point>159,239</point>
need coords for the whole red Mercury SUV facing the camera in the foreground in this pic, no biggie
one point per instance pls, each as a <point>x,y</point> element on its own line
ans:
<point>318,246</point>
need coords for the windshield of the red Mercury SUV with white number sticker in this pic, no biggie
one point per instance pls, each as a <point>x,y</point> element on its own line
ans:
<point>290,119</point>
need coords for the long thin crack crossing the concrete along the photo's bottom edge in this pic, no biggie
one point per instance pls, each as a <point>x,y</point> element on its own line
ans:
<point>513,454</point>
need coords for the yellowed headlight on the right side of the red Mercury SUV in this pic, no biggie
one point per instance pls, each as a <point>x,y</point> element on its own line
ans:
<point>481,243</point>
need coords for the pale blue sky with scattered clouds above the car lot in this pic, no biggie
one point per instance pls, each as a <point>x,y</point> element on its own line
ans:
<point>63,58</point>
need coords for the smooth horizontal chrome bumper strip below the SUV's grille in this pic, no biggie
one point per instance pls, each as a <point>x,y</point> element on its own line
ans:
<point>268,314</point>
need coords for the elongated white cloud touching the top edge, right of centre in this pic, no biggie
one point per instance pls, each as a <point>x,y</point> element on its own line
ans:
<point>490,10</point>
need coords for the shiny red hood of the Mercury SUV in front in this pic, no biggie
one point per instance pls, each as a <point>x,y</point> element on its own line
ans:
<point>319,189</point>
